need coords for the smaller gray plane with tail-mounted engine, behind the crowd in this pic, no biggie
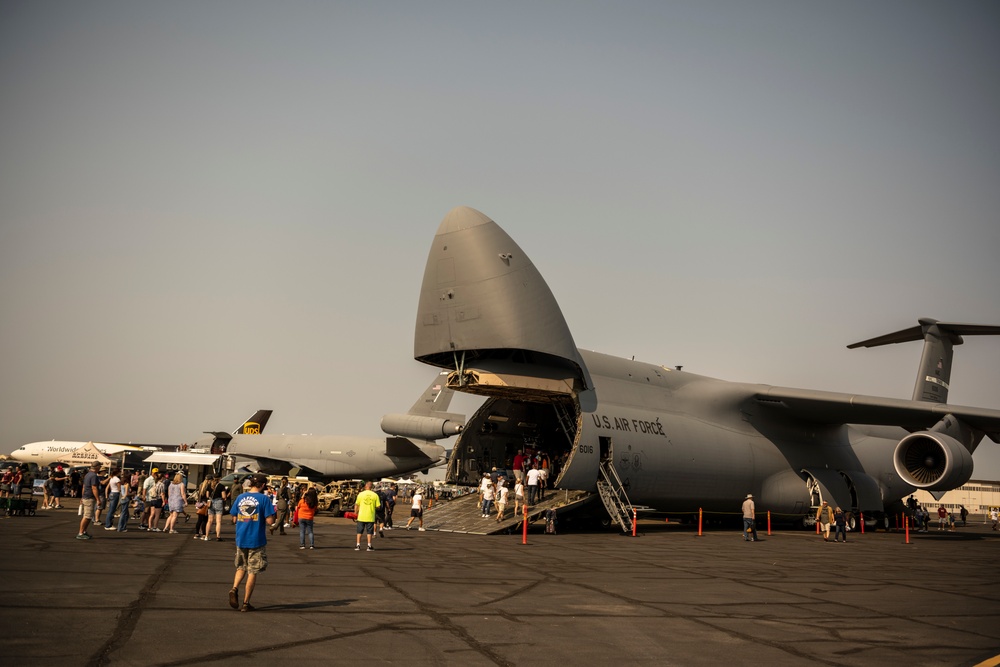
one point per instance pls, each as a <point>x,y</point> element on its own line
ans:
<point>409,448</point>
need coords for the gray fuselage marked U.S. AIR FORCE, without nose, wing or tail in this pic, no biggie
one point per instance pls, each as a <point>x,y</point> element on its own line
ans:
<point>680,442</point>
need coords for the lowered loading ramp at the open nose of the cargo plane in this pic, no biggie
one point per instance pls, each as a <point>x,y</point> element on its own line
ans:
<point>464,514</point>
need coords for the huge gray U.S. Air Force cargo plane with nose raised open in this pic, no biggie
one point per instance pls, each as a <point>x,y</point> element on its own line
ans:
<point>672,440</point>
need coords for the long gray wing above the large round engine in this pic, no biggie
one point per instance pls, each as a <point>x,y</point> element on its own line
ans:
<point>829,407</point>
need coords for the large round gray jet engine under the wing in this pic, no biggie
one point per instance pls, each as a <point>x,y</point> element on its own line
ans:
<point>932,461</point>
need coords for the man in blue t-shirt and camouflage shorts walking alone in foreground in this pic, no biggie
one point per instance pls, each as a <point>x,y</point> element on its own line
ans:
<point>252,513</point>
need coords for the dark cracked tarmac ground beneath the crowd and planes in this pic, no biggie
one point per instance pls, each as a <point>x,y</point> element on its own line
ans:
<point>667,597</point>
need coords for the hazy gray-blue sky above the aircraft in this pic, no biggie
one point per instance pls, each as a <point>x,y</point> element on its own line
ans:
<point>212,207</point>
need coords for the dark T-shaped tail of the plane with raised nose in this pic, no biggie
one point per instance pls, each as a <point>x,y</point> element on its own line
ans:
<point>939,339</point>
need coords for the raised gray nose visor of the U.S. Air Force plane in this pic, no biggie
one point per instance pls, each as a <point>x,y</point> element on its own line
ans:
<point>486,314</point>
